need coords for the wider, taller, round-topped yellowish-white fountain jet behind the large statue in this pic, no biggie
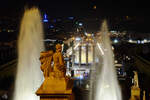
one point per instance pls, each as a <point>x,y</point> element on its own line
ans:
<point>30,44</point>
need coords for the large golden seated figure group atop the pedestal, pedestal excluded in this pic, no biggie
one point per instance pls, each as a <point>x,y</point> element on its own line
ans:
<point>58,70</point>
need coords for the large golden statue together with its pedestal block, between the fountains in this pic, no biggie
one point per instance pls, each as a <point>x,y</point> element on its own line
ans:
<point>54,70</point>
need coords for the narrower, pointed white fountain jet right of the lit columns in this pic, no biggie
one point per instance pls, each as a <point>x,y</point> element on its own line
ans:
<point>107,87</point>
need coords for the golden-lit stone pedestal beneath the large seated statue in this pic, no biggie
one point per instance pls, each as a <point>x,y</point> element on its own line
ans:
<point>56,89</point>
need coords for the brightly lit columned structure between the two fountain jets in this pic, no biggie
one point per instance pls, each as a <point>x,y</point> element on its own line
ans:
<point>82,53</point>
